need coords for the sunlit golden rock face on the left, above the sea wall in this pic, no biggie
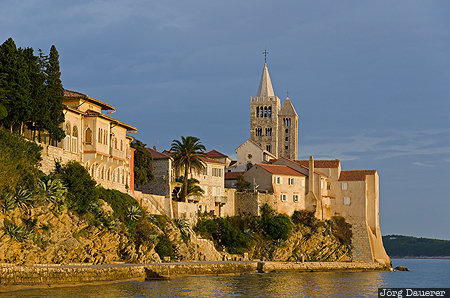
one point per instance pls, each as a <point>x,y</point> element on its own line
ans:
<point>43,236</point>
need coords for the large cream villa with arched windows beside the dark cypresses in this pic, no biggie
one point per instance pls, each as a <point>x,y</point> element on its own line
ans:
<point>96,140</point>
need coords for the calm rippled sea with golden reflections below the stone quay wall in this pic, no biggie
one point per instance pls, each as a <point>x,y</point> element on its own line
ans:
<point>423,273</point>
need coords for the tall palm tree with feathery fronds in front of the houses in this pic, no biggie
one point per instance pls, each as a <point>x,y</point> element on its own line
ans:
<point>187,155</point>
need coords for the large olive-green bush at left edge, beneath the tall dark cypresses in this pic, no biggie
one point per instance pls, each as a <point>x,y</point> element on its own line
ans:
<point>19,162</point>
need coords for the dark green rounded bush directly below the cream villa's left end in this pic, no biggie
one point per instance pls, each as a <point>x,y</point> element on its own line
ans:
<point>80,185</point>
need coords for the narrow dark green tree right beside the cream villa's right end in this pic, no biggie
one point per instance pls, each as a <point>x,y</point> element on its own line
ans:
<point>143,170</point>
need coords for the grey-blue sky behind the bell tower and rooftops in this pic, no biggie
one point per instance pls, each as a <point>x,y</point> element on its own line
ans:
<point>369,80</point>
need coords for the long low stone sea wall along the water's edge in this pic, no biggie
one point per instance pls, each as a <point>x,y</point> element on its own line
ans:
<point>15,277</point>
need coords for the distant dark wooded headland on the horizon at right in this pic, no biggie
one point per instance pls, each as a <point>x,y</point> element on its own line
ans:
<point>407,246</point>
